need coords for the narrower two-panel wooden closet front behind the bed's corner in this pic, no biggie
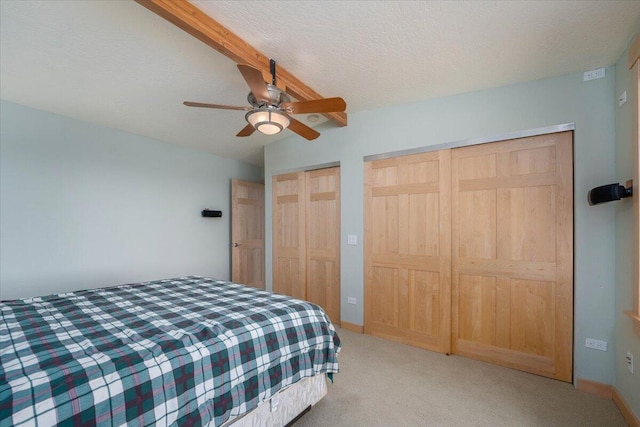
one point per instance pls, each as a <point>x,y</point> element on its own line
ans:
<point>306,237</point>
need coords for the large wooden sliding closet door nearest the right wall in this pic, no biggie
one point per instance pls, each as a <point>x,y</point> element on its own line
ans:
<point>512,282</point>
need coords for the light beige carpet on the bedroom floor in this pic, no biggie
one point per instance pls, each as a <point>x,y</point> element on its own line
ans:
<point>383,383</point>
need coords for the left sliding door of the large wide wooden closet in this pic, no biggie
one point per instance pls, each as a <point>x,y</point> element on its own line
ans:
<point>408,249</point>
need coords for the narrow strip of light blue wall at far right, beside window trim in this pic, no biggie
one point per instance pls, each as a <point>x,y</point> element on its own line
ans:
<point>625,339</point>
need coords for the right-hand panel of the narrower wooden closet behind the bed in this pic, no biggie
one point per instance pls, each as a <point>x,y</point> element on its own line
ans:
<point>323,240</point>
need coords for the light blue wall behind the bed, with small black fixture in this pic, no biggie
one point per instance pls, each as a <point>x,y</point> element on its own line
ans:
<point>83,206</point>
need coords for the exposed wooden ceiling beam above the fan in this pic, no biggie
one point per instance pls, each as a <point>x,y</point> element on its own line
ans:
<point>186,16</point>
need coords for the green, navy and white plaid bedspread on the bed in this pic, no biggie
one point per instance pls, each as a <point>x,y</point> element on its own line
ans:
<point>186,351</point>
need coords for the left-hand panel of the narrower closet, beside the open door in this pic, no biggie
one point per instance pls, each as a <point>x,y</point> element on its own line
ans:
<point>289,262</point>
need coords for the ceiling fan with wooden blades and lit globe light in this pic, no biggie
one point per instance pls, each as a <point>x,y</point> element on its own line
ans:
<point>271,108</point>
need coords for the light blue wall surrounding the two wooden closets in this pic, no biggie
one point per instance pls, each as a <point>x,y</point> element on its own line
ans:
<point>484,114</point>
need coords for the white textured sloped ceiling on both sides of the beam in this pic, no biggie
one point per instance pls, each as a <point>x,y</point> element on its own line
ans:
<point>117,64</point>
